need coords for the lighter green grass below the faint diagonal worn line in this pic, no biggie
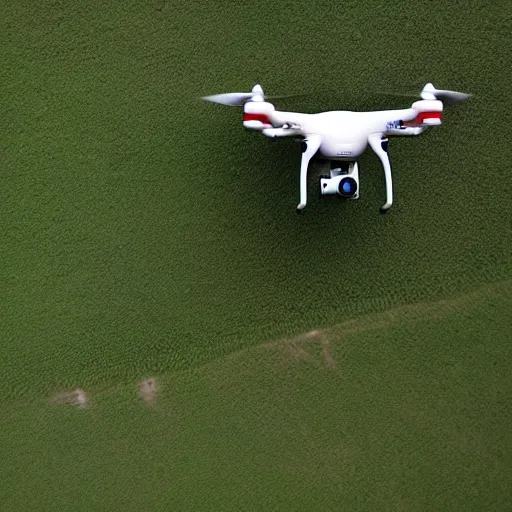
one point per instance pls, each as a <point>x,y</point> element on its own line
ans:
<point>404,410</point>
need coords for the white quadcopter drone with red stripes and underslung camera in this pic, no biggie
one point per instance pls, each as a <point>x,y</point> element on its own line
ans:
<point>341,137</point>
